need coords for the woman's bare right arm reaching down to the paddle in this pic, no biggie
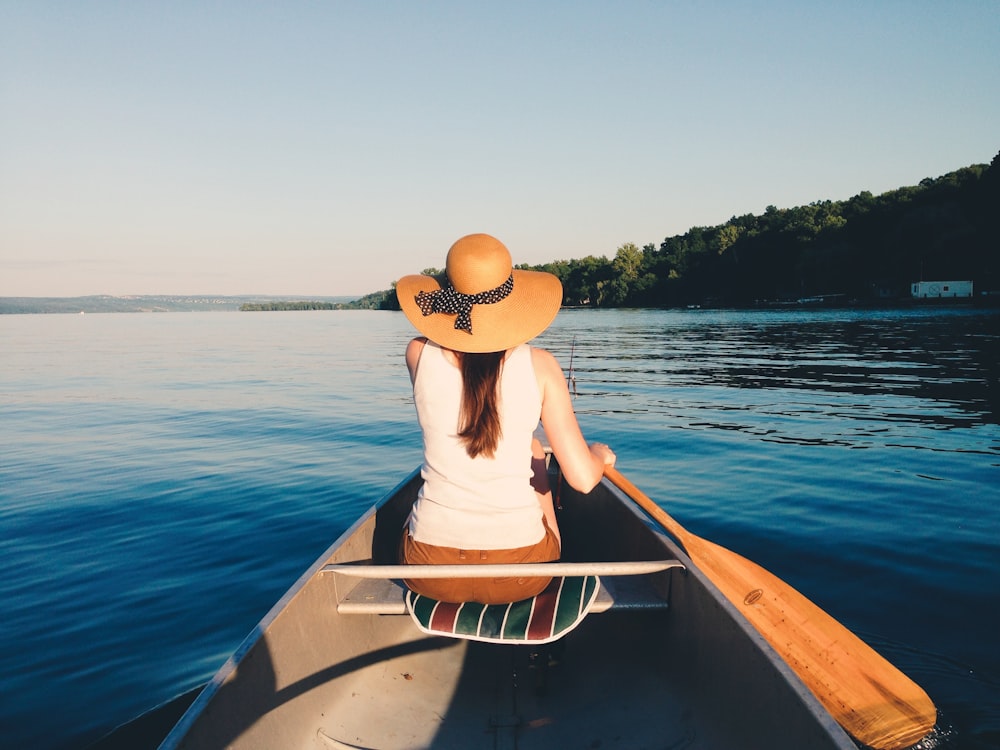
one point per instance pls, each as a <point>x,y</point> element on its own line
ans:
<point>582,465</point>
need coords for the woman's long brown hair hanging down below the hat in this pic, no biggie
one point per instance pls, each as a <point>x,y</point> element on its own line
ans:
<point>479,416</point>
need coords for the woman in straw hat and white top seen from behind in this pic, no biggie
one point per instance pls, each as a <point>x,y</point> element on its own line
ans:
<point>480,392</point>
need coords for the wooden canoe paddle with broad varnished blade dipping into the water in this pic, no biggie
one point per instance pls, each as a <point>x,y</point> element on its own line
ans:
<point>872,700</point>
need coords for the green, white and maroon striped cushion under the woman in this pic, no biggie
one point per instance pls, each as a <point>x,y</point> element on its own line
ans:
<point>540,619</point>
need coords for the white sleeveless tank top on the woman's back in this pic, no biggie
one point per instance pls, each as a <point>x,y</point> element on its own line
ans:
<point>476,503</point>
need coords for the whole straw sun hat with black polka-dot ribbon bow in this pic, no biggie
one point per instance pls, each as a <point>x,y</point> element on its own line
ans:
<point>486,305</point>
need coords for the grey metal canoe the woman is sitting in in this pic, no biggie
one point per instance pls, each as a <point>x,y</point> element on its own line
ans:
<point>662,659</point>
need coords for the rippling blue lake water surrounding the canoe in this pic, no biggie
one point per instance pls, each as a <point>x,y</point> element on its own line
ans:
<point>165,477</point>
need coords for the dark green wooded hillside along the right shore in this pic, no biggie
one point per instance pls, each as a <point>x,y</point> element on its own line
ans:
<point>867,249</point>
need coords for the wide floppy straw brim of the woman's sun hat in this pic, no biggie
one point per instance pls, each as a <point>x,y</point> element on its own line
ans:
<point>521,316</point>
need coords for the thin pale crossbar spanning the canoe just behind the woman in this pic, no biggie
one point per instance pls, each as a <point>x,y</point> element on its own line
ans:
<point>626,568</point>
